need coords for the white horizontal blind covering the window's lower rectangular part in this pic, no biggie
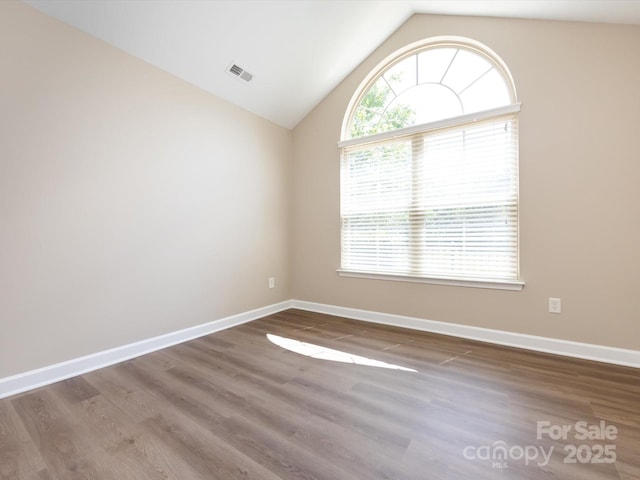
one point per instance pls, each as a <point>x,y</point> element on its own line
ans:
<point>437,201</point>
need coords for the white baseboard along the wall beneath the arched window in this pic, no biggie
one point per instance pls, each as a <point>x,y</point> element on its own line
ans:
<point>587,351</point>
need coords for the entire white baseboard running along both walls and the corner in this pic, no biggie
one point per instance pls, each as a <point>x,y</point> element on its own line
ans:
<point>78,366</point>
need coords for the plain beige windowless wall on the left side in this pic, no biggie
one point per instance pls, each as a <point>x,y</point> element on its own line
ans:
<point>131,203</point>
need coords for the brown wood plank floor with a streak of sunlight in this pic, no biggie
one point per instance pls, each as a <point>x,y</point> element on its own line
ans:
<point>238,405</point>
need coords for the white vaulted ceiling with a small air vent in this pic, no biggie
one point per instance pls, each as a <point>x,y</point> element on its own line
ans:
<point>297,50</point>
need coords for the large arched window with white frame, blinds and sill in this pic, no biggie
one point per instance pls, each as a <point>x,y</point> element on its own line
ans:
<point>429,169</point>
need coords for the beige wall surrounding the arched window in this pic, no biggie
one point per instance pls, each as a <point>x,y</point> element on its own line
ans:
<point>580,187</point>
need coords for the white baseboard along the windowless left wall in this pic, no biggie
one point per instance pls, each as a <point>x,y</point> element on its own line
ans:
<point>61,371</point>
